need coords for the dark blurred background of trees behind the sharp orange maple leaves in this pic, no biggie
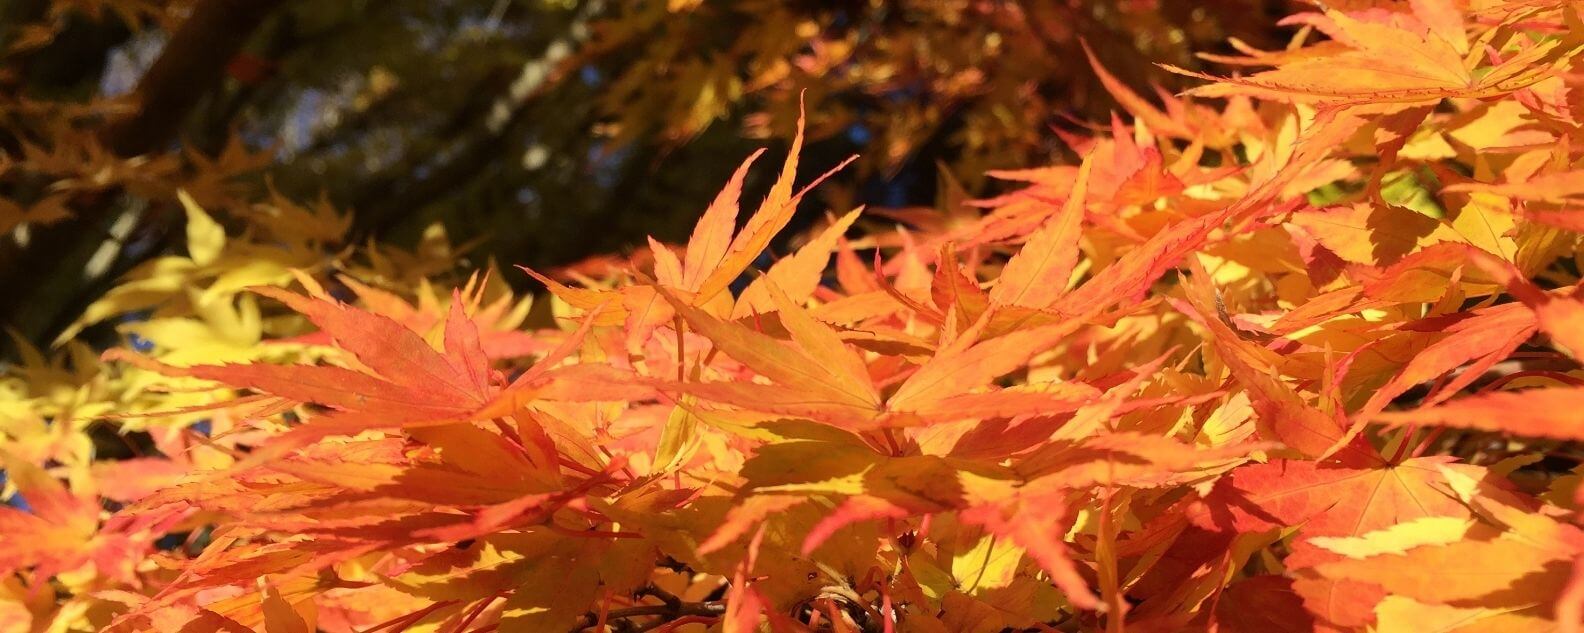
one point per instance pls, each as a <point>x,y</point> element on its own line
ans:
<point>522,132</point>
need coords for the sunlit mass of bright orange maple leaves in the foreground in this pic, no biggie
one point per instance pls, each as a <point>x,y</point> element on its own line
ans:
<point>1222,376</point>
